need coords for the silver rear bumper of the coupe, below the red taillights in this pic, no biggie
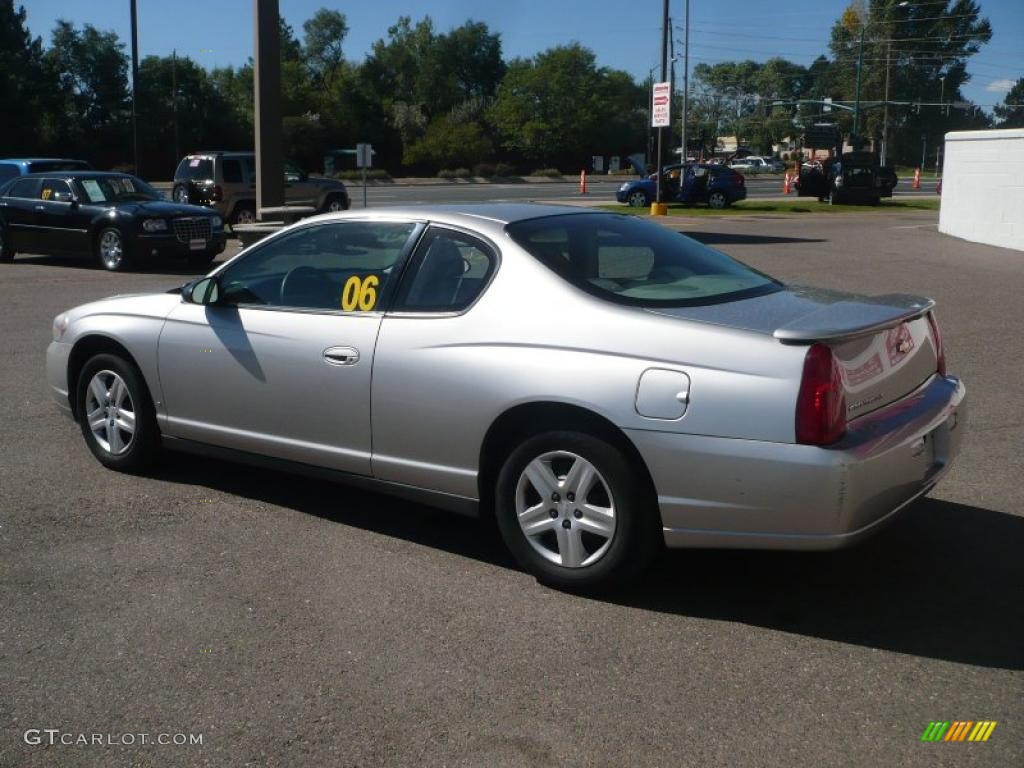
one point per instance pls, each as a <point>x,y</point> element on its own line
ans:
<point>746,494</point>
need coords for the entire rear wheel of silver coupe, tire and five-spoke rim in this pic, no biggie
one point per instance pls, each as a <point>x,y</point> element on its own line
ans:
<point>573,511</point>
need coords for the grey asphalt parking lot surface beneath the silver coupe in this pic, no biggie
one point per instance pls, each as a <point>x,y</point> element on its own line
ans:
<point>293,622</point>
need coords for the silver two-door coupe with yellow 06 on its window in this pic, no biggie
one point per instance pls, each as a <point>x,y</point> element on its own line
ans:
<point>600,383</point>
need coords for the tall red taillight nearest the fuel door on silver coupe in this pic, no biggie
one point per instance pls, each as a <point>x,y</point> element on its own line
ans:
<point>822,403</point>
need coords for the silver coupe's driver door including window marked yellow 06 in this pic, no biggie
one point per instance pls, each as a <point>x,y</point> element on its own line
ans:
<point>281,365</point>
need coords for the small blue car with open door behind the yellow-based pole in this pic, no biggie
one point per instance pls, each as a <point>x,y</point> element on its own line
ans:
<point>716,186</point>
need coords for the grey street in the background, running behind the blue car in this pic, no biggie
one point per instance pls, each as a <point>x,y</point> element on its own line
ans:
<point>388,195</point>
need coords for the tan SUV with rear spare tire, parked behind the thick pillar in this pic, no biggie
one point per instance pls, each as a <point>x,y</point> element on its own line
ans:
<point>227,181</point>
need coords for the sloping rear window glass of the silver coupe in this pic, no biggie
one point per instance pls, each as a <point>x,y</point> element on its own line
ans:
<point>636,263</point>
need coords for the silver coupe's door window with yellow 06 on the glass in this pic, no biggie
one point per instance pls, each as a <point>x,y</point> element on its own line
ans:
<point>344,267</point>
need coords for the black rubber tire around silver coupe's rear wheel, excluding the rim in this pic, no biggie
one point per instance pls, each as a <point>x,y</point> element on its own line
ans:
<point>637,537</point>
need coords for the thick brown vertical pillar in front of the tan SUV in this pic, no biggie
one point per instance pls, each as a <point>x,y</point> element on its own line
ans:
<point>267,84</point>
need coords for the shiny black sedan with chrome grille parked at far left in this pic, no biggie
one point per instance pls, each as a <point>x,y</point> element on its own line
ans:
<point>115,218</point>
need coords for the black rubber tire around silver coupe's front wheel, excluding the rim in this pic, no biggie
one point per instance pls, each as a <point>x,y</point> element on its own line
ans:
<point>145,444</point>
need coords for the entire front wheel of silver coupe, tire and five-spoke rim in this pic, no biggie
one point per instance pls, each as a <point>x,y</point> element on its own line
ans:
<point>116,414</point>
